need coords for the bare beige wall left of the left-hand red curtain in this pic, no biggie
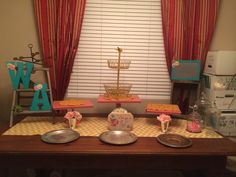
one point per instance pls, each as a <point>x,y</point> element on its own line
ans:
<point>17,30</point>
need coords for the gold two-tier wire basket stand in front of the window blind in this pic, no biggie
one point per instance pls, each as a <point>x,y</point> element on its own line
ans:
<point>118,90</point>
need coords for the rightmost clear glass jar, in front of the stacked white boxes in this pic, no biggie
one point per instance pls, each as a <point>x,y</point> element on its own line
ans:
<point>212,117</point>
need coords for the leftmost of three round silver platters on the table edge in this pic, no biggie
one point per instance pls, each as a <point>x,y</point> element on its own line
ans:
<point>60,136</point>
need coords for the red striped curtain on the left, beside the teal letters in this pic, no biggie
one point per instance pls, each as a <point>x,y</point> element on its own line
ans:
<point>59,25</point>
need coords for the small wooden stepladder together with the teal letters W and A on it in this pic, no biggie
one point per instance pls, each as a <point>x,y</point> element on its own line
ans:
<point>29,97</point>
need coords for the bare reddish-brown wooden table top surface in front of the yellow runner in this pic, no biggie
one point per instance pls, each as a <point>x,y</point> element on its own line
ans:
<point>12,144</point>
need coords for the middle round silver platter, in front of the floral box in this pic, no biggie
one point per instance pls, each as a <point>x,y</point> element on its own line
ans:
<point>117,137</point>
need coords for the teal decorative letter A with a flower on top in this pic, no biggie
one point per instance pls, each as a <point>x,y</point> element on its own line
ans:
<point>40,99</point>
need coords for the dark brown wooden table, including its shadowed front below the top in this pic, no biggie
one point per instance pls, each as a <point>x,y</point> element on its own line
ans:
<point>205,155</point>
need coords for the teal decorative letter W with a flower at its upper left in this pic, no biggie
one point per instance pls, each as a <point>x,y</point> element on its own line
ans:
<point>18,72</point>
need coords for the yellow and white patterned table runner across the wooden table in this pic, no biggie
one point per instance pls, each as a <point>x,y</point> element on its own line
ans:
<point>94,126</point>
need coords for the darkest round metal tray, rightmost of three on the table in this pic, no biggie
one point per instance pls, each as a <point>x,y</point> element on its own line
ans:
<point>174,140</point>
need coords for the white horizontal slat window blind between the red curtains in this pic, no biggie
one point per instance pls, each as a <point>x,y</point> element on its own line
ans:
<point>136,27</point>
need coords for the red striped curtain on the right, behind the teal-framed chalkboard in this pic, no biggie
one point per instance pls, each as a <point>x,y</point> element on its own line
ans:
<point>188,27</point>
